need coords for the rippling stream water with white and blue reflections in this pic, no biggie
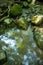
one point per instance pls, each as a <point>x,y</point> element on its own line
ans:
<point>20,47</point>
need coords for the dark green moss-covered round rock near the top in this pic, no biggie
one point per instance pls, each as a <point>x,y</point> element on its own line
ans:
<point>16,10</point>
